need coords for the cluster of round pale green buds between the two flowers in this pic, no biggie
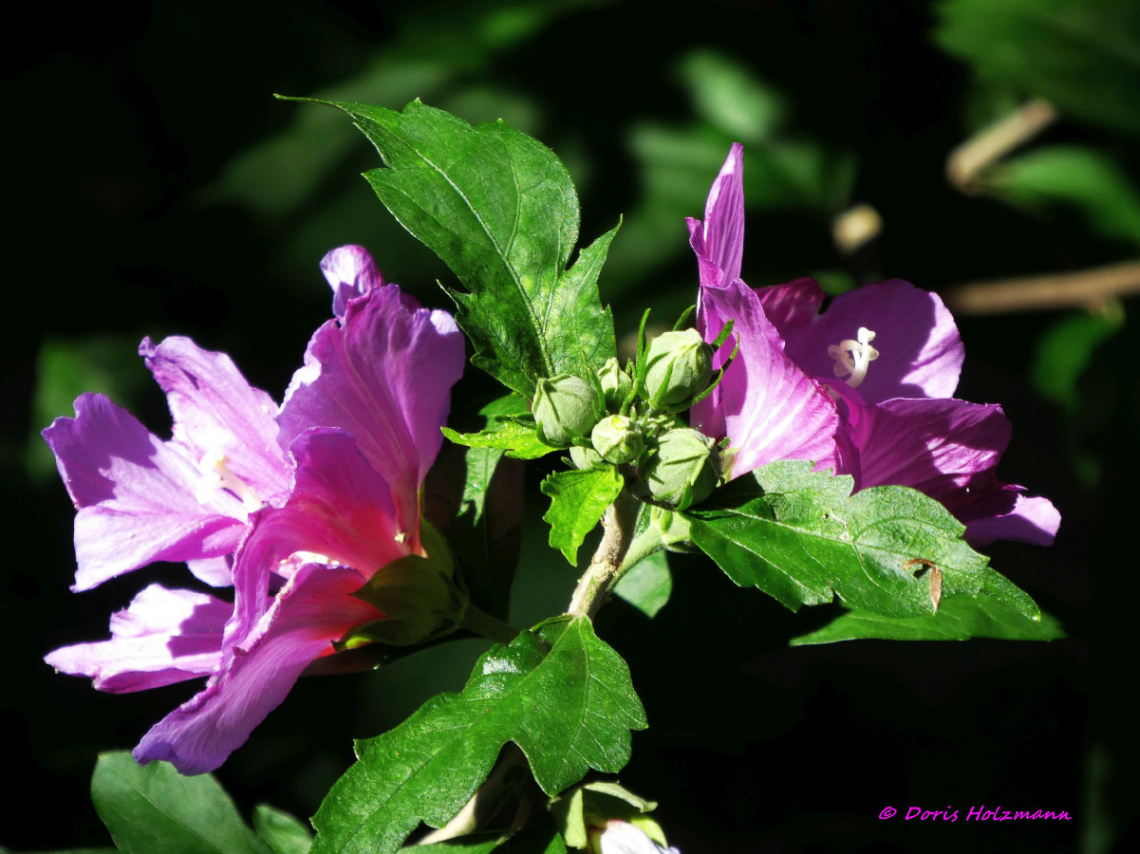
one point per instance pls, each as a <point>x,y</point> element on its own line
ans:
<point>631,419</point>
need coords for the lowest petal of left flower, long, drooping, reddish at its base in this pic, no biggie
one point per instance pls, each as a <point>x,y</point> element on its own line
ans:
<point>314,609</point>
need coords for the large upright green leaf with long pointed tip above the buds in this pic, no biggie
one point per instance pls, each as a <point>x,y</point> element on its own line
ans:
<point>500,209</point>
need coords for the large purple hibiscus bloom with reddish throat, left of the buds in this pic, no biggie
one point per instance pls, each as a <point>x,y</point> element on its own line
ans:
<point>295,507</point>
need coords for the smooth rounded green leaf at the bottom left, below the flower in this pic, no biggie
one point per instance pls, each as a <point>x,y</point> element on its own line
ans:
<point>156,809</point>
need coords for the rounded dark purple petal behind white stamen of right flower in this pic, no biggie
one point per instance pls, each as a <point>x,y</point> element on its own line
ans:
<point>921,353</point>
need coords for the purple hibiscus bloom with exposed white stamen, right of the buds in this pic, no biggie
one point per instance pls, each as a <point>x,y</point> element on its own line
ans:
<point>813,386</point>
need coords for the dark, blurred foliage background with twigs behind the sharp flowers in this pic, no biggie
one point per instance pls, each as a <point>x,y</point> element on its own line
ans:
<point>159,190</point>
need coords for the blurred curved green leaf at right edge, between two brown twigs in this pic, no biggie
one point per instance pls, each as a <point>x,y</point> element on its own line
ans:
<point>1084,178</point>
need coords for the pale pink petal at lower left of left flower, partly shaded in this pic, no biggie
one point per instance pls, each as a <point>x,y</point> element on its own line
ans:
<point>165,637</point>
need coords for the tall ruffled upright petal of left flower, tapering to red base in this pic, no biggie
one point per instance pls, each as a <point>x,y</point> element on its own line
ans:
<point>386,378</point>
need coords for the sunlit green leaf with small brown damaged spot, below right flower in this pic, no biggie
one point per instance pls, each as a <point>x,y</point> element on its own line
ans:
<point>803,539</point>
